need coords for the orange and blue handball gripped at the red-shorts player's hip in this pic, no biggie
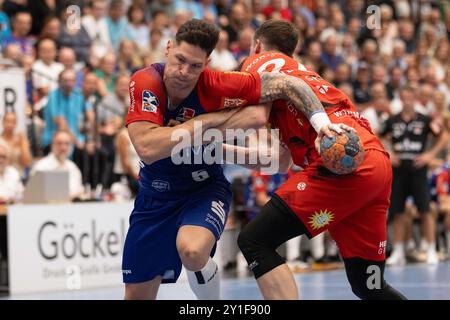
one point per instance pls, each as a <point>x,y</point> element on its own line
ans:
<point>342,153</point>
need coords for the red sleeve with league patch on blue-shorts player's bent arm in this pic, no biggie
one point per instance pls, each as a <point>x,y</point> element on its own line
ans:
<point>147,97</point>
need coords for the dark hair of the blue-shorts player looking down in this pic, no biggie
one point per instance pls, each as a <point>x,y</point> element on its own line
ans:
<point>198,33</point>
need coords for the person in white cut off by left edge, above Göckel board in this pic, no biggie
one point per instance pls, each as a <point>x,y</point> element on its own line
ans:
<point>11,188</point>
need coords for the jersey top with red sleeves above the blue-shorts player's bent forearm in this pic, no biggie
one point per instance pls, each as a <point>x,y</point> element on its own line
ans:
<point>214,91</point>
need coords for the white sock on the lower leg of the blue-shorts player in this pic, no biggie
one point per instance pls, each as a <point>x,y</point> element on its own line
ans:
<point>206,282</point>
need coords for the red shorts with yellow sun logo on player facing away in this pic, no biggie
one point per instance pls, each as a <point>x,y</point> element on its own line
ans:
<point>353,208</point>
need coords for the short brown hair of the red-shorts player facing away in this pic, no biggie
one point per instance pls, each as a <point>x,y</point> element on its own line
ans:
<point>278,35</point>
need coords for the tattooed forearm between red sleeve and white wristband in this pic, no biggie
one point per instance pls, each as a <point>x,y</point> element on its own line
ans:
<point>280,86</point>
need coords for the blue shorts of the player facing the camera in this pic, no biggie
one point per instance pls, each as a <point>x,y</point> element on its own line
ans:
<point>150,246</point>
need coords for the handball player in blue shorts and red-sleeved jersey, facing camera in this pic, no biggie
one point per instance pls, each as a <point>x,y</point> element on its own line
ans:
<point>181,209</point>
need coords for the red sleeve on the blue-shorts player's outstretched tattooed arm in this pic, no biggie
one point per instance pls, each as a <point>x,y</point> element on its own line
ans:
<point>218,90</point>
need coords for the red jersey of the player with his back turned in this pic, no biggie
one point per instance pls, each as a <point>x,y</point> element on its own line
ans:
<point>295,130</point>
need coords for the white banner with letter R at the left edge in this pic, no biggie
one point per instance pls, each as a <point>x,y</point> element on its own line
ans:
<point>13,95</point>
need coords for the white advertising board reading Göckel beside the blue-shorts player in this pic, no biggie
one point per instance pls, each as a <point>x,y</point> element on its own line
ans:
<point>66,247</point>
